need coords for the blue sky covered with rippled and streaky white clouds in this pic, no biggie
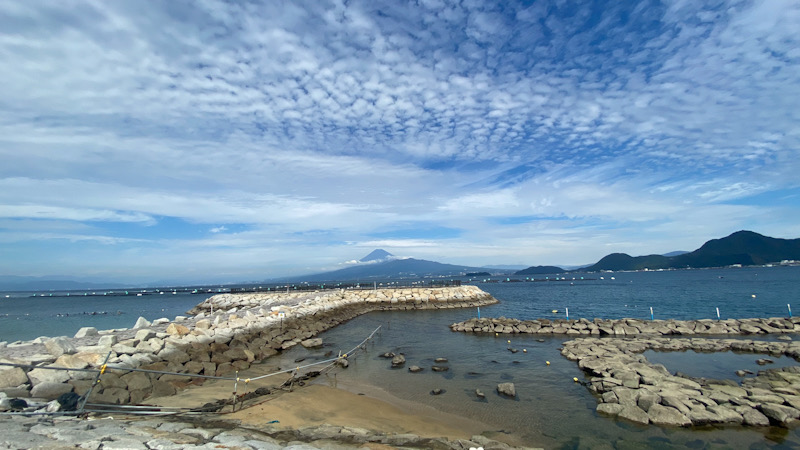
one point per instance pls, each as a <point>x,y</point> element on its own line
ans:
<point>232,141</point>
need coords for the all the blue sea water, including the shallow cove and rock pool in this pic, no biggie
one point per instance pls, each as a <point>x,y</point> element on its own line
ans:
<point>551,410</point>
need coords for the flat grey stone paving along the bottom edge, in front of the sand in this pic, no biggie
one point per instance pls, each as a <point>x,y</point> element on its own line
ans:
<point>164,433</point>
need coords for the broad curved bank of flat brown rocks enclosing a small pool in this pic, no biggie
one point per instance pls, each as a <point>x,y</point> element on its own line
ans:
<point>632,388</point>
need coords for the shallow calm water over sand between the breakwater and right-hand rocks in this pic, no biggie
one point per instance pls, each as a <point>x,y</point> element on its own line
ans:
<point>550,410</point>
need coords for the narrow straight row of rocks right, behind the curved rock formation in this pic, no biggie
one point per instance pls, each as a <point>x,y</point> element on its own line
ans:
<point>629,327</point>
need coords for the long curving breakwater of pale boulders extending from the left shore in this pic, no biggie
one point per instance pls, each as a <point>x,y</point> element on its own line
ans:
<point>225,333</point>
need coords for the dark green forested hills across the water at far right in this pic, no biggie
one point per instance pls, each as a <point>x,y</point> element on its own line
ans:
<point>744,248</point>
